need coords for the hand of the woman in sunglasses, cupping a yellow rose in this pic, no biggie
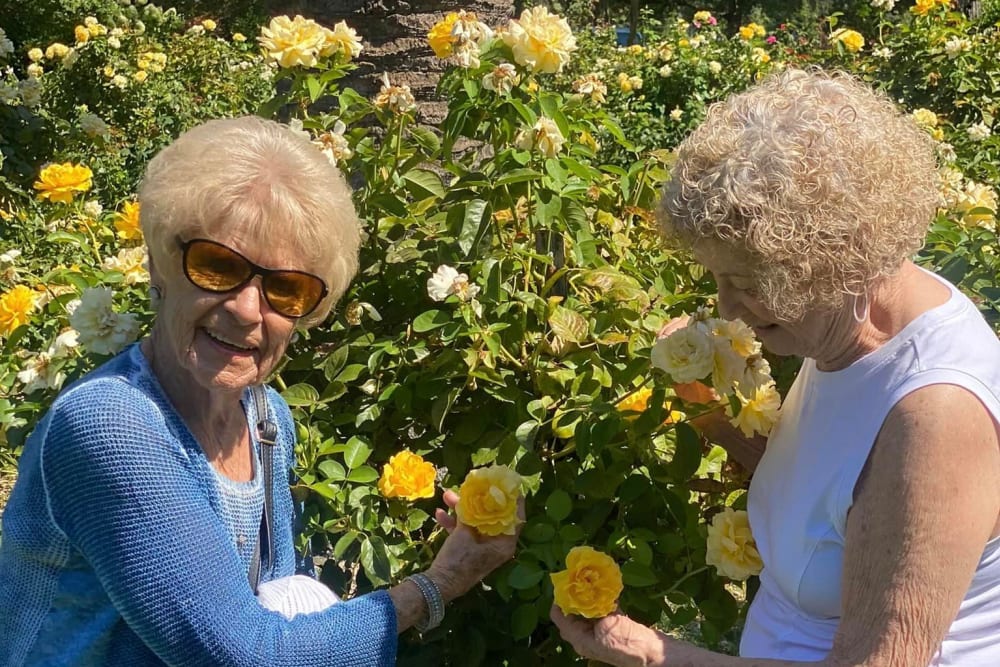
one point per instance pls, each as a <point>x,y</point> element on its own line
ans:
<point>466,557</point>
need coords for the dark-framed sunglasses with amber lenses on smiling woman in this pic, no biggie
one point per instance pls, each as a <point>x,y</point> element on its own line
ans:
<point>217,268</point>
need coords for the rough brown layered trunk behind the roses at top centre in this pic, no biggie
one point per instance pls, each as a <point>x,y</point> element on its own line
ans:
<point>395,39</point>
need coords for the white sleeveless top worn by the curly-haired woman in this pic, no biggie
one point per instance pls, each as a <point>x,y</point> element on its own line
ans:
<point>804,486</point>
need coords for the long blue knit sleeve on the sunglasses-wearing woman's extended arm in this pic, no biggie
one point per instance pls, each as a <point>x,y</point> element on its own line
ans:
<point>121,488</point>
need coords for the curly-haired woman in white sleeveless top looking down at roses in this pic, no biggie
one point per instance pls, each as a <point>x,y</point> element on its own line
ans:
<point>875,500</point>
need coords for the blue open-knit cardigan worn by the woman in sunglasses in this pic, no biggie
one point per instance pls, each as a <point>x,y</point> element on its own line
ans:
<point>123,546</point>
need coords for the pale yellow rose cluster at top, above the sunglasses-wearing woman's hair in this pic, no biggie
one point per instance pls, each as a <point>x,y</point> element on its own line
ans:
<point>301,42</point>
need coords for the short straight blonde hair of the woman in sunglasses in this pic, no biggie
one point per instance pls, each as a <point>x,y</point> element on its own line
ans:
<point>265,178</point>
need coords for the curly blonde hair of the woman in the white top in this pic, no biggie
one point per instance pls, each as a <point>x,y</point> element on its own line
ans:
<point>824,183</point>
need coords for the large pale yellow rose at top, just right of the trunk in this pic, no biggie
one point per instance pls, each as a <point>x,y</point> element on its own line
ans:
<point>540,41</point>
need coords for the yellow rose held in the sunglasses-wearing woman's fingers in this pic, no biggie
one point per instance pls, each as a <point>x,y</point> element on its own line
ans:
<point>488,500</point>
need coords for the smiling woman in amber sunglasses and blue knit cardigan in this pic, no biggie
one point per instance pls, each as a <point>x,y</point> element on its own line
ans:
<point>152,499</point>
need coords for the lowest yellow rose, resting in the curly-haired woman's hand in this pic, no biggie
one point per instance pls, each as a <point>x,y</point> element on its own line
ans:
<point>590,584</point>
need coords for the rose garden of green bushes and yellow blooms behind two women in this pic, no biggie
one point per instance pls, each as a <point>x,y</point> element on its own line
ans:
<point>536,179</point>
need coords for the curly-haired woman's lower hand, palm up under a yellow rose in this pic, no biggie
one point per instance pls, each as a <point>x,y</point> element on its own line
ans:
<point>615,639</point>
